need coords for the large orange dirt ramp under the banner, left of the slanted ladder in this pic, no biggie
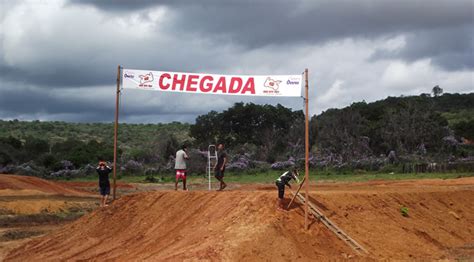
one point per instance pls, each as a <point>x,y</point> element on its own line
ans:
<point>212,226</point>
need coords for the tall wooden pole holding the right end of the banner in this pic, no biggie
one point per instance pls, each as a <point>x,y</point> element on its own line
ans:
<point>306,175</point>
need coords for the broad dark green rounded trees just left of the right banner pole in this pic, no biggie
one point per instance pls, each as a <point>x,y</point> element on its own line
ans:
<point>269,127</point>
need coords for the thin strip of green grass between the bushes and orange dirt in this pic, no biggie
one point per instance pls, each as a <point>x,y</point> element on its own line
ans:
<point>270,176</point>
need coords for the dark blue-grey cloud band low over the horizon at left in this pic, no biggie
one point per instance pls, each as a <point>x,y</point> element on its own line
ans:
<point>31,103</point>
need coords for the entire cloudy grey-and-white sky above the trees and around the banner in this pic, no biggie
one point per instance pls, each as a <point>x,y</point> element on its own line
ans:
<point>58,58</point>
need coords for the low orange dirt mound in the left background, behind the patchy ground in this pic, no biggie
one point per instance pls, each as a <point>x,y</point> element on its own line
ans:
<point>27,185</point>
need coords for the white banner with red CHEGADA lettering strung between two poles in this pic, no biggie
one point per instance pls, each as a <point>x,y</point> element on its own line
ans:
<point>271,85</point>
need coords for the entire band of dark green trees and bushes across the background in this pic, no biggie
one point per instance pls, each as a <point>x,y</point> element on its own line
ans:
<point>415,129</point>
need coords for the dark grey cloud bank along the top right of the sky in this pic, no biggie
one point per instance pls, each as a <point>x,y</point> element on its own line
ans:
<point>441,30</point>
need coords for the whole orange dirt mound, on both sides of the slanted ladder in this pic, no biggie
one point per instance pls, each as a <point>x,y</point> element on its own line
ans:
<point>242,224</point>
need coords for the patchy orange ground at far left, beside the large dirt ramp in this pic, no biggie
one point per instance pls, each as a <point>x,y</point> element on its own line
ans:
<point>26,199</point>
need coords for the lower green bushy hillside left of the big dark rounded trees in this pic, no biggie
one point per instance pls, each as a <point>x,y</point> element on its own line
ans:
<point>48,147</point>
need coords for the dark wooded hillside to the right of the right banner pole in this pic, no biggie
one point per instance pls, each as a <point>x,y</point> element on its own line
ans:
<point>424,125</point>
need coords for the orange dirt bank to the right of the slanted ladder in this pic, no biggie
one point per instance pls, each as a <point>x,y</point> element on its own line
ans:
<point>439,224</point>
